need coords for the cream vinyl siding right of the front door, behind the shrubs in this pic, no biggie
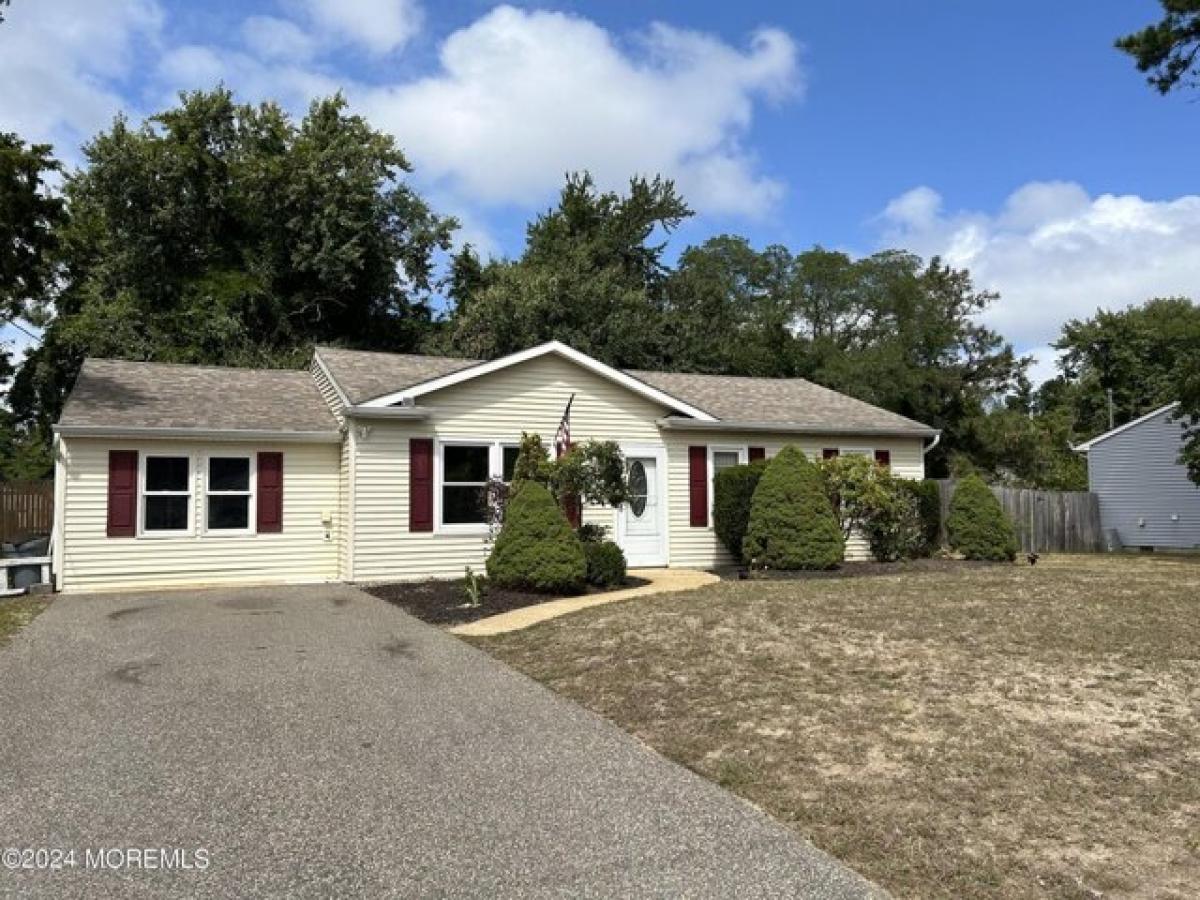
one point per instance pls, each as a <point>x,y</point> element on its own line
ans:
<point>700,548</point>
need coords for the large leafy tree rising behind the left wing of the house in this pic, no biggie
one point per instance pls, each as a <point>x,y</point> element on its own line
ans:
<point>225,233</point>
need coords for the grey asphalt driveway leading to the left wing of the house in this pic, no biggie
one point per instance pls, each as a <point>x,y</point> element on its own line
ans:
<point>319,742</point>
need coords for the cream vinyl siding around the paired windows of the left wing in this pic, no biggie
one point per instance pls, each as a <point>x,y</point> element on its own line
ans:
<point>302,553</point>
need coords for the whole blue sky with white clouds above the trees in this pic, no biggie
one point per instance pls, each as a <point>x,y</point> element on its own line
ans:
<point>1010,137</point>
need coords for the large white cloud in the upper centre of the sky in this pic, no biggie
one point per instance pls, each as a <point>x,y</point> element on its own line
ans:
<point>525,97</point>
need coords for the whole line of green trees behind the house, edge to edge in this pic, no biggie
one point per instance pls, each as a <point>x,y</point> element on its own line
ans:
<point>226,233</point>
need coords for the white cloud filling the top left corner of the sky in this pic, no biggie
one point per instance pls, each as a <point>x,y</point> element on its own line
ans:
<point>63,63</point>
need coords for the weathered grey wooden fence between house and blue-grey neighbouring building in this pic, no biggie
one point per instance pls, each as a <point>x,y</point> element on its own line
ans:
<point>1047,521</point>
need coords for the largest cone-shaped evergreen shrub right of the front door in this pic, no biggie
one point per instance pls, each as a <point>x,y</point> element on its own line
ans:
<point>793,525</point>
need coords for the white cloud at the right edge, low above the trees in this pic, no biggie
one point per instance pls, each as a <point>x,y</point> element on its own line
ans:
<point>1054,253</point>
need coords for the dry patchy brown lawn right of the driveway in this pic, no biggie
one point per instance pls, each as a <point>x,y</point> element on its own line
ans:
<point>1005,731</point>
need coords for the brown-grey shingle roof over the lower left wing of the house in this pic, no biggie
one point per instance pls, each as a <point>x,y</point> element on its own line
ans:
<point>116,394</point>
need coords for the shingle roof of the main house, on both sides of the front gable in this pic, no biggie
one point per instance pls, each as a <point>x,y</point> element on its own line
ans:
<point>791,403</point>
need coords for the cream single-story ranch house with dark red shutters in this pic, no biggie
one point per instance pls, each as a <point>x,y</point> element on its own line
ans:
<point>369,466</point>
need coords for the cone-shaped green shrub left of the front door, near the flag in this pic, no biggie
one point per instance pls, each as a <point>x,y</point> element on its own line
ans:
<point>537,549</point>
